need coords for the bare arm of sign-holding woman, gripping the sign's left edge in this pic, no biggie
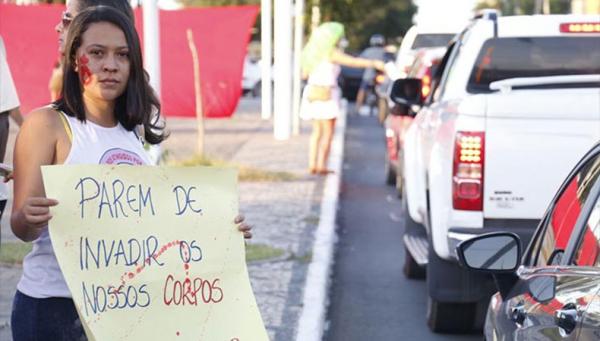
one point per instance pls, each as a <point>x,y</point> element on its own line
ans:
<point>35,146</point>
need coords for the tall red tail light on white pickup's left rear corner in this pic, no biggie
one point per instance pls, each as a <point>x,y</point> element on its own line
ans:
<point>467,179</point>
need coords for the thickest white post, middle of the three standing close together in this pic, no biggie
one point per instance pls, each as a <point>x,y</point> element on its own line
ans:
<point>283,64</point>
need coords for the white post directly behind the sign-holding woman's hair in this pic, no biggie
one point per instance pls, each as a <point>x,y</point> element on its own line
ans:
<point>152,57</point>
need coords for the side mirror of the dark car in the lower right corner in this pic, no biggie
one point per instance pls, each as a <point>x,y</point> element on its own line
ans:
<point>496,253</point>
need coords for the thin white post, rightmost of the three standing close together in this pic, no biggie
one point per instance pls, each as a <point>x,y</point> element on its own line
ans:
<point>297,85</point>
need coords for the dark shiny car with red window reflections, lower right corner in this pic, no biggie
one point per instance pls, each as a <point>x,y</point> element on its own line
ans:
<point>552,291</point>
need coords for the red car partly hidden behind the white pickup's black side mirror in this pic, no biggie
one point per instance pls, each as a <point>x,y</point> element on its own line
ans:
<point>399,116</point>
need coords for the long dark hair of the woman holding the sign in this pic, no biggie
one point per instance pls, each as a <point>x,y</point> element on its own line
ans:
<point>138,104</point>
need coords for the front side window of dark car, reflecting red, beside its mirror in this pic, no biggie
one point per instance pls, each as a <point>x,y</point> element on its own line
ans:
<point>566,209</point>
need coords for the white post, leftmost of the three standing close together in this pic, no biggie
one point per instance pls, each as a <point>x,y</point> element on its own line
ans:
<point>266,33</point>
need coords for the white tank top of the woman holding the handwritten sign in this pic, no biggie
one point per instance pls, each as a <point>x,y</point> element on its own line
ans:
<point>91,144</point>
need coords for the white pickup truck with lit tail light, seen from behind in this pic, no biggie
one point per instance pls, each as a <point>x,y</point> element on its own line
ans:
<point>515,105</point>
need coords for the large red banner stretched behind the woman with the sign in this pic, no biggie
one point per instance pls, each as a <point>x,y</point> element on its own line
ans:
<point>221,35</point>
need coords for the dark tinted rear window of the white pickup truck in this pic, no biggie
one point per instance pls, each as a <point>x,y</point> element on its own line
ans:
<point>504,58</point>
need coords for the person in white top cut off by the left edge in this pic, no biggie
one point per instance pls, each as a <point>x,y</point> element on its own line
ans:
<point>9,107</point>
